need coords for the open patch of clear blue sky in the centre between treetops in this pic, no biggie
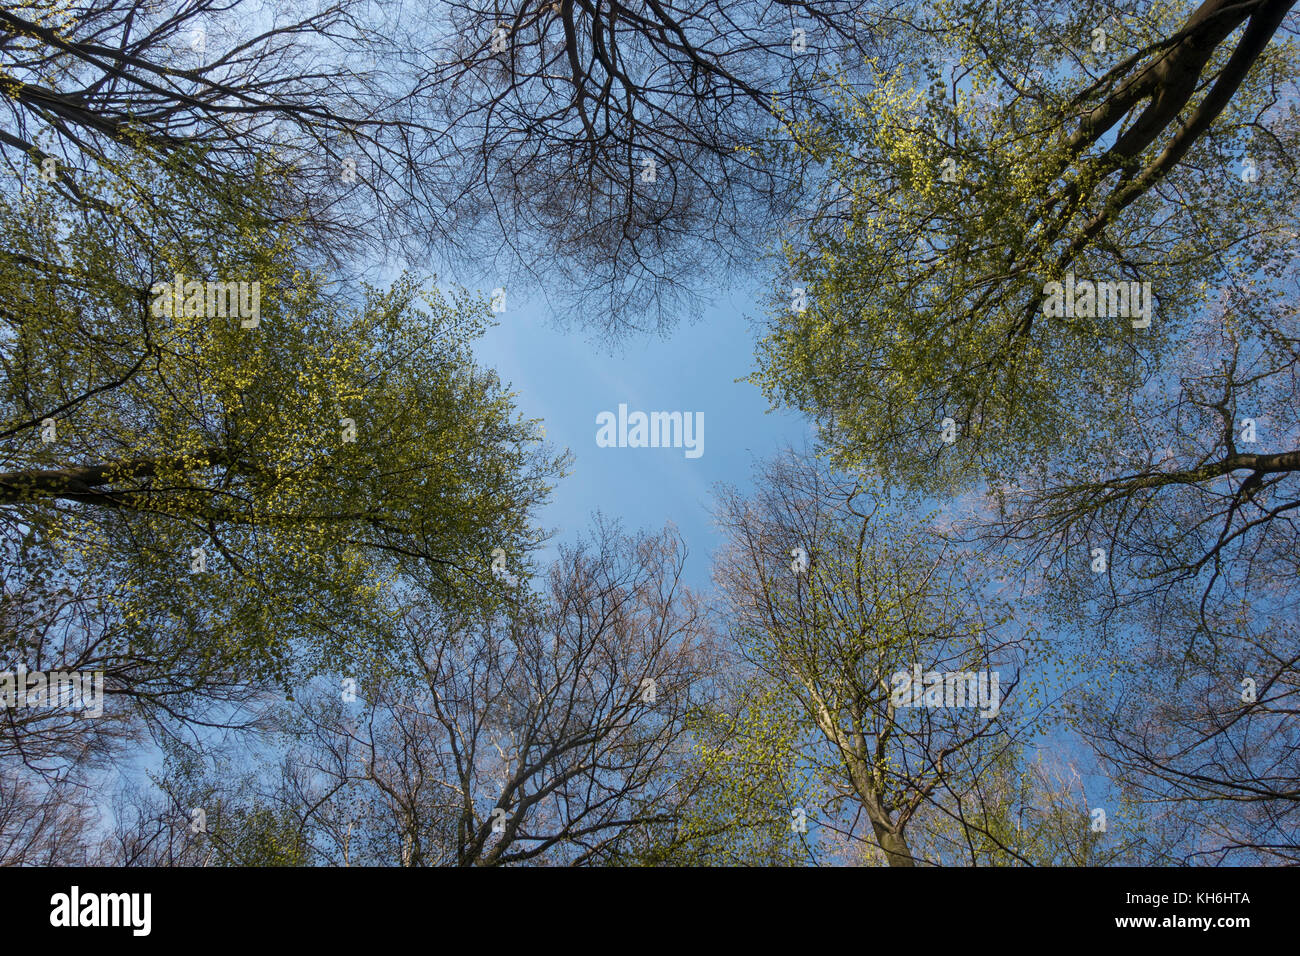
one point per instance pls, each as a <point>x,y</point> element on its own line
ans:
<point>567,379</point>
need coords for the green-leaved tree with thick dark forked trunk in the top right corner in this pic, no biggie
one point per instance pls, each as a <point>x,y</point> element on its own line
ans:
<point>1025,145</point>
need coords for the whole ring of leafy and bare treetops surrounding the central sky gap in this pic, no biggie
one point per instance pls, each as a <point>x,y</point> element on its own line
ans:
<point>1028,270</point>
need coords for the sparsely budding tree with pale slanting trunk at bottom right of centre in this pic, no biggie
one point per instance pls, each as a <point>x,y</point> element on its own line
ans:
<point>835,600</point>
